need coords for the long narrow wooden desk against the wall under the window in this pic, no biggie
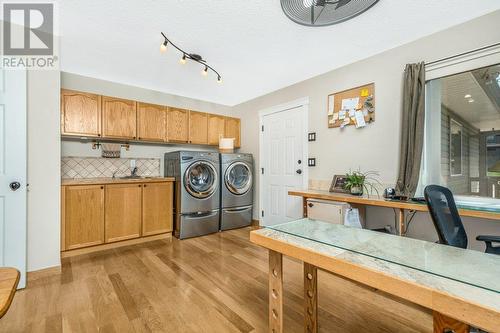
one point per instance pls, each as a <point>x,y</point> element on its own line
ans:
<point>401,206</point>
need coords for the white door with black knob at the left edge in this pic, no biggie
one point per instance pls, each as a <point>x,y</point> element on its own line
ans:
<point>13,171</point>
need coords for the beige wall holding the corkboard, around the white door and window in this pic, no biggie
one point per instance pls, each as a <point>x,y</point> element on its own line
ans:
<point>375,147</point>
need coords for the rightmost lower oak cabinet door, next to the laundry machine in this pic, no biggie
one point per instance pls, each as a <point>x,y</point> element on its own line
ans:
<point>157,208</point>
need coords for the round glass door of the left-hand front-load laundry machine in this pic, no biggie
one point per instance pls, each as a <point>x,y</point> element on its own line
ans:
<point>200,179</point>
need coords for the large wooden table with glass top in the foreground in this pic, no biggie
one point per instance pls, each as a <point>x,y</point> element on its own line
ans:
<point>455,304</point>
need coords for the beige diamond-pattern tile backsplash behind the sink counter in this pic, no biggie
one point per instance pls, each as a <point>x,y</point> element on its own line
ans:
<point>98,167</point>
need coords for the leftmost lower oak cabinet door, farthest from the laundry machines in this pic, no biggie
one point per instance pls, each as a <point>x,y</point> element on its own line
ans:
<point>83,216</point>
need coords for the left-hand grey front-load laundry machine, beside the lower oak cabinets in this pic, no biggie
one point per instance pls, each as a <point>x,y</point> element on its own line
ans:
<point>197,192</point>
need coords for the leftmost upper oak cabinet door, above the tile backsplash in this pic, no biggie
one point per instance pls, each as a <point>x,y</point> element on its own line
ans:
<point>80,113</point>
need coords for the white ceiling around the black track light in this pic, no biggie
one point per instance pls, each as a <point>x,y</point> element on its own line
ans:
<point>251,43</point>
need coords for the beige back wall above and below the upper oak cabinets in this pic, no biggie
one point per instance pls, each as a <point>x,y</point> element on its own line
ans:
<point>87,84</point>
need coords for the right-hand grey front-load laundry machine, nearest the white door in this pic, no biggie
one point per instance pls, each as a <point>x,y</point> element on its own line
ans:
<point>236,190</point>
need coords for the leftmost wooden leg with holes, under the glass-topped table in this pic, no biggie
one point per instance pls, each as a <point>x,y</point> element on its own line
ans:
<point>275,292</point>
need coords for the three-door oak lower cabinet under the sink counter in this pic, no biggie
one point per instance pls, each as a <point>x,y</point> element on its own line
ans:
<point>106,213</point>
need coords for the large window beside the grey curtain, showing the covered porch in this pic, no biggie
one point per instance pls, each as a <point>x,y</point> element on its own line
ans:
<point>462,133</point>
